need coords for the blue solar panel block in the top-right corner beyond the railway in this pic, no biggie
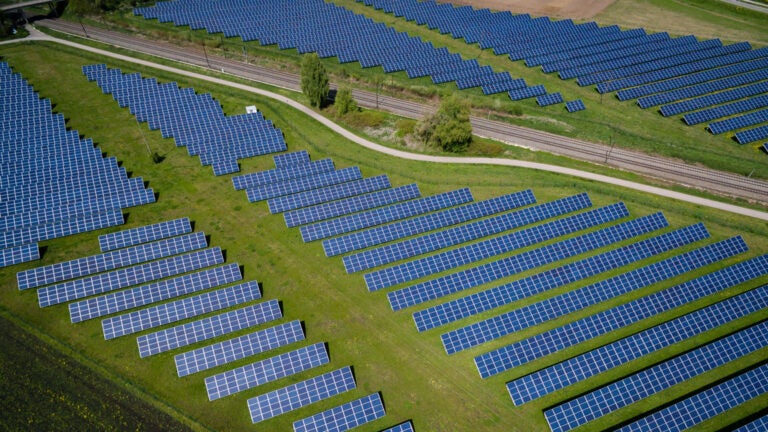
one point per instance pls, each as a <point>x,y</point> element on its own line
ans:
<point>656,68</point>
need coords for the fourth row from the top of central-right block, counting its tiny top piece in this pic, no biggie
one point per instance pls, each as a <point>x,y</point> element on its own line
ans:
<point>329,193</point>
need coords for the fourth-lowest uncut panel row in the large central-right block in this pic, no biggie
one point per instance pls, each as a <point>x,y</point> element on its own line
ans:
<point>418,268</point>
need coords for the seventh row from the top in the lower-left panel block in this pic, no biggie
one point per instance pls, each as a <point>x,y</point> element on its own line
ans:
<point>238,348</point>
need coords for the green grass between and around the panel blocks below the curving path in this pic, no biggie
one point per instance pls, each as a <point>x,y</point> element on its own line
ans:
<point>416,378</point>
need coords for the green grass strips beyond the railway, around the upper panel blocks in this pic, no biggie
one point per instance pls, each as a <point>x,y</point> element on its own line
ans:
<point>607,120</point>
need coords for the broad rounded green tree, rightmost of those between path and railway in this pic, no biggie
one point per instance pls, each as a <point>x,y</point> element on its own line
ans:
<point>449,128</point>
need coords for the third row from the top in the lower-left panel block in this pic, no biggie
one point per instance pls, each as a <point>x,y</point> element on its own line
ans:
<point>125,277</point>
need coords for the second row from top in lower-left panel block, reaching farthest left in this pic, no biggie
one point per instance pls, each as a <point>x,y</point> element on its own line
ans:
<point>110,260</point>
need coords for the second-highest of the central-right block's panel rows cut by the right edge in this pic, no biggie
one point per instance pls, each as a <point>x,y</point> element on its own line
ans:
<point>609,356</point>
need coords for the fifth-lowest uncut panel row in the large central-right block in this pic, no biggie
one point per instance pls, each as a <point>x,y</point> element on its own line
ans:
<point>464,233</point>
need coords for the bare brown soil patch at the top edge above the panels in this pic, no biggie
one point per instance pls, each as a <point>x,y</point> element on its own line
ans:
<point>576,9</point>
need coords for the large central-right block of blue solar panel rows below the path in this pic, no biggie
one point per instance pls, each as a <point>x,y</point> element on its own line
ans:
<point>373,231</point>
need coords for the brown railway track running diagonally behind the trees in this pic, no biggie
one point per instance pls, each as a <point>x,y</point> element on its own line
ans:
<point>664,169</point>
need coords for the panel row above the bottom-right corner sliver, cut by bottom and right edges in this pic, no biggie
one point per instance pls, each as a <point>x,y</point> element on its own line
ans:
<point>706,404</point>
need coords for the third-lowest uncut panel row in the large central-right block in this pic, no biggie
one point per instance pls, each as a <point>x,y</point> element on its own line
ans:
<point>486,273</point>
